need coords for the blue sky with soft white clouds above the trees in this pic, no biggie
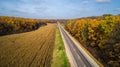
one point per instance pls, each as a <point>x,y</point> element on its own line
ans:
<point>58,9</point>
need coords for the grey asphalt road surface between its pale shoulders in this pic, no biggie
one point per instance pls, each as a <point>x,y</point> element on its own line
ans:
<point>79,59</point>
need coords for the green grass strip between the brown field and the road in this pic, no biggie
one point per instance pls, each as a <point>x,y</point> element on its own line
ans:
<point>59,56</point>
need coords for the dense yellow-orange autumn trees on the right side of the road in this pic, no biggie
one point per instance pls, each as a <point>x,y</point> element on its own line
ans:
<point>100,35</point>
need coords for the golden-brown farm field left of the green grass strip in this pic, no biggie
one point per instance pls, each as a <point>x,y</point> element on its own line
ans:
<point>30,49</point>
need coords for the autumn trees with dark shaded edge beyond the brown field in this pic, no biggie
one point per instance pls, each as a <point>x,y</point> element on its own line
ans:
<point>10,25</point>
